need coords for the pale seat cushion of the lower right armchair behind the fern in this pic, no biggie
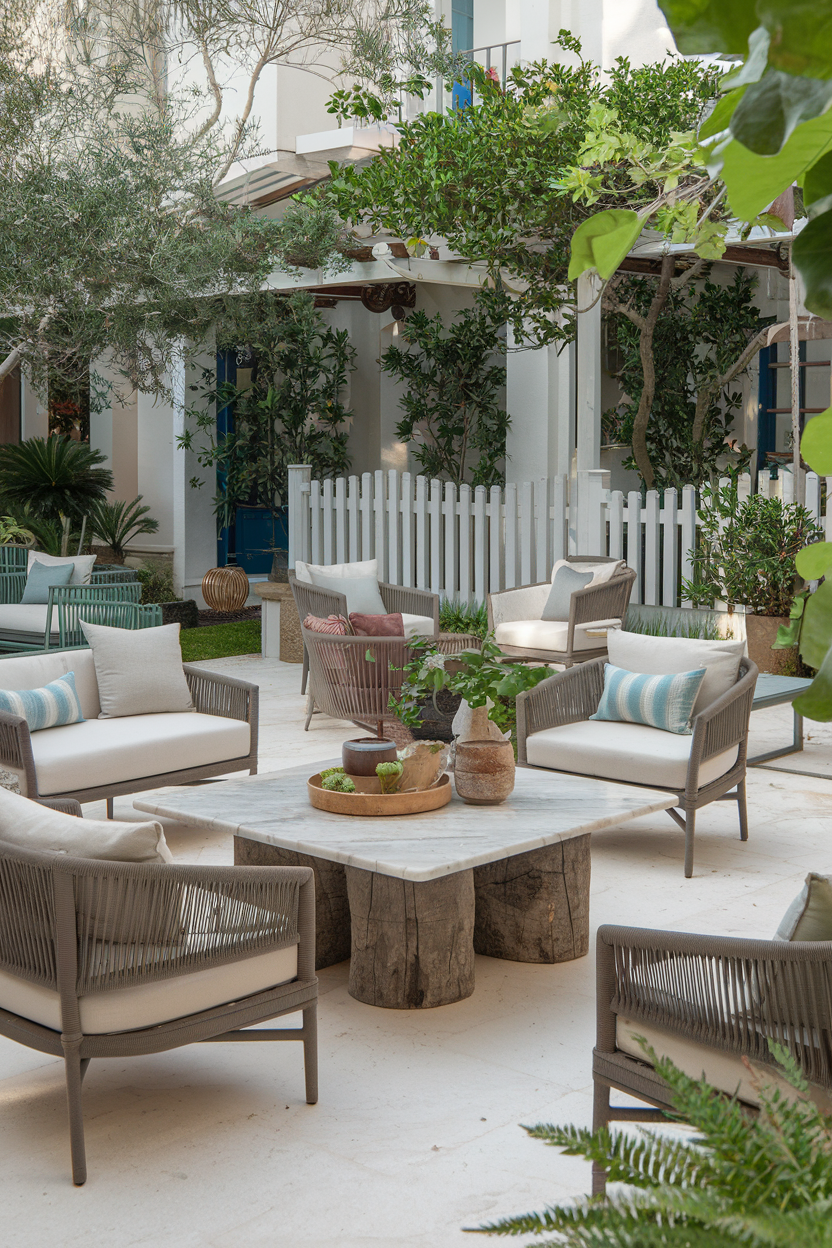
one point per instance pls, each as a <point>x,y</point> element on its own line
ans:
<point>723,1070</point>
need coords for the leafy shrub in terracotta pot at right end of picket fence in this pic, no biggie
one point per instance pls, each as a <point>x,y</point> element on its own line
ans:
<point>747,557</point>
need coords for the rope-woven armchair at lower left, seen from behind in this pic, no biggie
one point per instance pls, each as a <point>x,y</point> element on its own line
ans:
<point>110,959</point>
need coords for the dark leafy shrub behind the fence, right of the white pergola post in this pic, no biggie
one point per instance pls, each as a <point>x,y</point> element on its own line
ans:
<point>700,335</point>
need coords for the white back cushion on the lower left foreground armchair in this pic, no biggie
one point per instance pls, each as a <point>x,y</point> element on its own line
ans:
<point>33,827</point>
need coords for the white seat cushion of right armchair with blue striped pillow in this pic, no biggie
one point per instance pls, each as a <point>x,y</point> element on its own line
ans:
<point>621,752</point>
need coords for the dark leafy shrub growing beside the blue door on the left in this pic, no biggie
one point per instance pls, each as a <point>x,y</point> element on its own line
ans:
<point>291,414</point>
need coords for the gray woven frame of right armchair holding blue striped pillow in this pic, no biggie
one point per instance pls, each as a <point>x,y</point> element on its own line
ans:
<point>573,696</point>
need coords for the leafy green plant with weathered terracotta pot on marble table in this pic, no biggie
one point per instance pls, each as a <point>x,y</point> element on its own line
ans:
<point>487,687</point>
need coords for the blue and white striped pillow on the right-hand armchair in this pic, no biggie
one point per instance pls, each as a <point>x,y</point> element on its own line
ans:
<point>658,702</point>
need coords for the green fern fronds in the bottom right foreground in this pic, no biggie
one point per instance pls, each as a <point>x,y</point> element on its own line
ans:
<point>764,1182</point>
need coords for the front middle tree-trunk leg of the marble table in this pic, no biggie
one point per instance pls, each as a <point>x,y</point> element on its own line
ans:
<point>412,944</point>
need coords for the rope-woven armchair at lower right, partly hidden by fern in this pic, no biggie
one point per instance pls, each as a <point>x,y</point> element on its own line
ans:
<point>705,1003</point>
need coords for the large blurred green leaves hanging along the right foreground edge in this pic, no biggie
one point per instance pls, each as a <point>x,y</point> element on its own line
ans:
<point>773,129</point>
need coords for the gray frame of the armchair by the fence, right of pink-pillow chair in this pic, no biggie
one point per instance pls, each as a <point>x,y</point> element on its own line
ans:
<point>604,602</point>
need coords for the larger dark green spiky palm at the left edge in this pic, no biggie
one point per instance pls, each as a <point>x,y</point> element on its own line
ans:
<point>56,479</point>
